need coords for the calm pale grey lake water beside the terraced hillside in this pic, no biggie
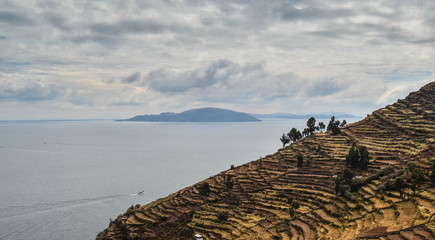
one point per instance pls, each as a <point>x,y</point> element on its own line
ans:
<point>66,179</point>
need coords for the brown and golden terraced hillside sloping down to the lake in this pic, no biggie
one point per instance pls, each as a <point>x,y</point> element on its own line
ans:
<point>271,198</point>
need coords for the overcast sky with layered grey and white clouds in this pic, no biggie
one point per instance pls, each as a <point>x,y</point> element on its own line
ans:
<point>115,59</point>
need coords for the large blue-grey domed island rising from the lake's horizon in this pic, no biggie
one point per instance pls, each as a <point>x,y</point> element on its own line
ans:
<point>197,115</point>
